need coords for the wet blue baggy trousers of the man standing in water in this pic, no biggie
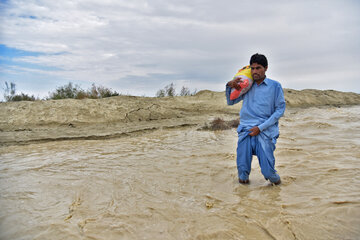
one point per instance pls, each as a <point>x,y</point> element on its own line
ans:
<point>261,146</point>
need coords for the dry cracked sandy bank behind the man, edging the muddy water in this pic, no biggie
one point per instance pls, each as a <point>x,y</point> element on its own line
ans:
<point>23,122</point>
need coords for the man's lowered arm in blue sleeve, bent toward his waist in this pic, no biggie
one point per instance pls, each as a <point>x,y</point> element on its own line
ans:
<point>279,109</point>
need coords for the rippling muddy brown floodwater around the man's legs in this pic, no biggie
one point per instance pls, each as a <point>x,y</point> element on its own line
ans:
<point>182,184</point>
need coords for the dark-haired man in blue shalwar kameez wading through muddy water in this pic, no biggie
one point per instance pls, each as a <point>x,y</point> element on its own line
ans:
<point>263,105</point>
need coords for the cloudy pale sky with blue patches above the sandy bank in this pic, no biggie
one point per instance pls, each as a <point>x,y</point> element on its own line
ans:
<point>138,47</point>
